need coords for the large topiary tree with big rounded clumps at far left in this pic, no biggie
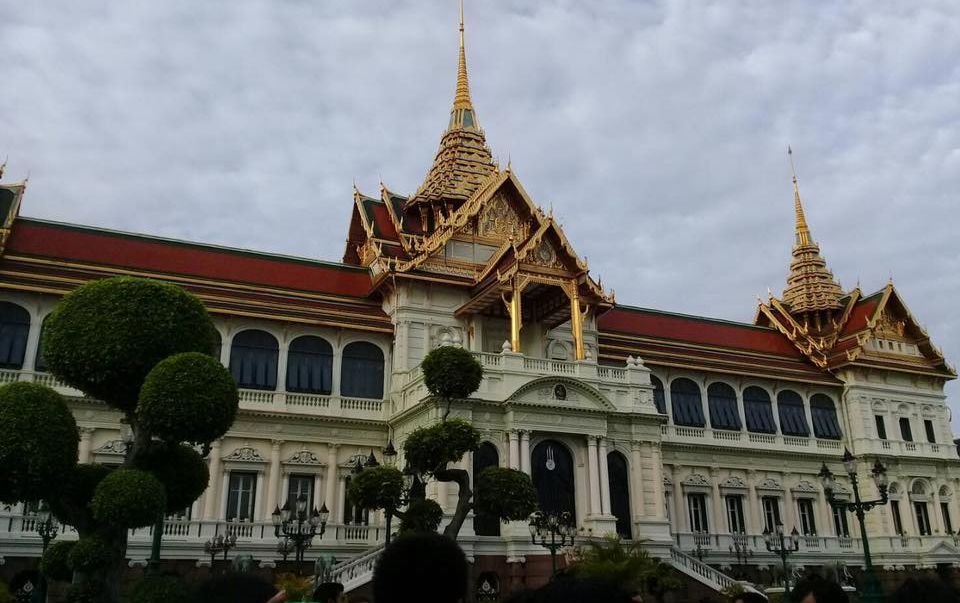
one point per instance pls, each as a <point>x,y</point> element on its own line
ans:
<point>142,347</point>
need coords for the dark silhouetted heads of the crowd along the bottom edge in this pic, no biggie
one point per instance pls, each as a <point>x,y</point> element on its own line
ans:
<point>430,568</point>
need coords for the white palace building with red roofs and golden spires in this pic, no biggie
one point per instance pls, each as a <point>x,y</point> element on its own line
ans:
<point>692,434</point>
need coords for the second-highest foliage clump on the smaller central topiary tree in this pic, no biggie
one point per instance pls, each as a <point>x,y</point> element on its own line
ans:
<point>429,449</point>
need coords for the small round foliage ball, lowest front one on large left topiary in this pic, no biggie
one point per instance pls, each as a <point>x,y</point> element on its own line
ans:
<point>128,498</point>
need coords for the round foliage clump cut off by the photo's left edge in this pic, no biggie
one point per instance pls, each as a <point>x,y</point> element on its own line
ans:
<point>38,442</point>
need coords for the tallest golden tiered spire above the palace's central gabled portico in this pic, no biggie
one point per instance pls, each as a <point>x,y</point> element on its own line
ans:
<point>463,160</point>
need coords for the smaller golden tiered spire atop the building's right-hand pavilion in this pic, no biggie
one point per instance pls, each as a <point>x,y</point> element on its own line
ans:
<point>811,287</point>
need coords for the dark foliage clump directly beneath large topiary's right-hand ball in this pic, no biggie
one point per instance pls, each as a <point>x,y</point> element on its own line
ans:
<point>180,469</point>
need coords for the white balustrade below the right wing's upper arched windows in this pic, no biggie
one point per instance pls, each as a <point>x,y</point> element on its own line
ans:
<point>705,436</point>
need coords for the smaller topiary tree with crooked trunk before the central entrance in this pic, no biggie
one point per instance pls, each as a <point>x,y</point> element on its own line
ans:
<point>450,374</point>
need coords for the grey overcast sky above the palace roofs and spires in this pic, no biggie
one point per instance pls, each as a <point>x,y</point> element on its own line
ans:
<point>657,130</point>
